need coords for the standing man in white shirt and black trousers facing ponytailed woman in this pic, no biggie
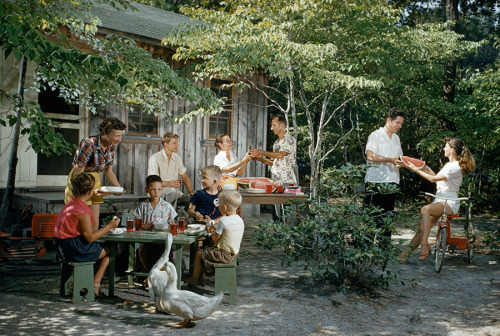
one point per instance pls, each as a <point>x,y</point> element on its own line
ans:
<point>383,151</point>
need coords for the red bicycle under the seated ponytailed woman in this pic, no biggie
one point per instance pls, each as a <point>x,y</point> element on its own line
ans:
<point>444,241</point>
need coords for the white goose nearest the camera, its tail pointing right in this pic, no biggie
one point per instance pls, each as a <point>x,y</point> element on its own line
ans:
<point>186,304</point>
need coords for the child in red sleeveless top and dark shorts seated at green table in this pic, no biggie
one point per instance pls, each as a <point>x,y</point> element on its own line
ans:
<point>75,239</point>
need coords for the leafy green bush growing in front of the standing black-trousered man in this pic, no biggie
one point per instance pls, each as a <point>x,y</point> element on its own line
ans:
<point>334,236</point>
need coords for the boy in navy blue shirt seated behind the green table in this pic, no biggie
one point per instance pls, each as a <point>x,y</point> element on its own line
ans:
<point>204,205</point>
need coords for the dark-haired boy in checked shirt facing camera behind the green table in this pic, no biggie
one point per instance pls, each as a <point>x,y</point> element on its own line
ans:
<point>154,210</point>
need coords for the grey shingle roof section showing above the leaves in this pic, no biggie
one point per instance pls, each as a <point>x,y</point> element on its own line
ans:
<point>145,21</point>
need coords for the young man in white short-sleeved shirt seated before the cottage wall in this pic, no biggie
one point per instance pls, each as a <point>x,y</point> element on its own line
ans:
<point>169,166</point>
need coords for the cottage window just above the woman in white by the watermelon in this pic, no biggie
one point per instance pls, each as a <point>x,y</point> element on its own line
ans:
<point>221,123</point>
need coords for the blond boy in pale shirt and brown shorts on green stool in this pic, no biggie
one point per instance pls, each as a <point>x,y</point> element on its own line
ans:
<point>227,235</point>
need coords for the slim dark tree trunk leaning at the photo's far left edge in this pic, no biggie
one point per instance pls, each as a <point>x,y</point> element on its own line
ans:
<point>11,177</point>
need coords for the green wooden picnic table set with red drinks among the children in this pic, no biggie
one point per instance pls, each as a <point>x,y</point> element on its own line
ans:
<point>151,237</point>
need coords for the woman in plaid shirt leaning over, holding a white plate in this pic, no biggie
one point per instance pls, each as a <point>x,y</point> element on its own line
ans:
<point>96,154</point>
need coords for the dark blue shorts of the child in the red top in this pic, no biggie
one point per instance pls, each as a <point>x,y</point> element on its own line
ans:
<point>78,249</point>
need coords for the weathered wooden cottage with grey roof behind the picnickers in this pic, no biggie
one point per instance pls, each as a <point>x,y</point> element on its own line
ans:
<point>244,117</point>
